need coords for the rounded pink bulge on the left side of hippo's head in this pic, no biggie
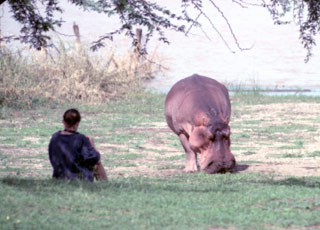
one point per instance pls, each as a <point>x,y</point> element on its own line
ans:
<point>199,137</point>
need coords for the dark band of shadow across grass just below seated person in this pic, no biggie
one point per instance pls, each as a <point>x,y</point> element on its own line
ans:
<point>200,183</point>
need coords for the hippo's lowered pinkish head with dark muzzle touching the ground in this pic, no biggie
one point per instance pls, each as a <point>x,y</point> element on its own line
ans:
<point>213,144</point>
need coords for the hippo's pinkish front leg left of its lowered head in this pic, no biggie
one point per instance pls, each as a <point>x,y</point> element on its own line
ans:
<point>191,164</point>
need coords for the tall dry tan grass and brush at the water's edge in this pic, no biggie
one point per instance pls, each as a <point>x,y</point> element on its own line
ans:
<point>30,77</point>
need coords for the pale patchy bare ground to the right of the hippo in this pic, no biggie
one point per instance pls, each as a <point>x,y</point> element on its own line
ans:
<point>285,140</point>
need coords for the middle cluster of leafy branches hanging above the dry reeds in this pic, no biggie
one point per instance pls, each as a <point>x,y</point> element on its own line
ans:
<point>149,15</point>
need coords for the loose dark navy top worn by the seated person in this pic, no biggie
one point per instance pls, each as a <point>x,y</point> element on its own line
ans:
<point>72,156</point>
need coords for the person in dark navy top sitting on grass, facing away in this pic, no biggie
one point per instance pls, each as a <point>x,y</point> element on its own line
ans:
<point>72,154</point>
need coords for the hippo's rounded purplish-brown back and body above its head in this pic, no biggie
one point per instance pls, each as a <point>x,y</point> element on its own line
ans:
<point>194,95</point>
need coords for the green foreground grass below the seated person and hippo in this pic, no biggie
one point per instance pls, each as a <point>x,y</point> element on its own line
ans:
<point>195,201</point>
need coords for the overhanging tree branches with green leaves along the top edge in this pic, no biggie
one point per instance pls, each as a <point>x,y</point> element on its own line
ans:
<point>156,19</point>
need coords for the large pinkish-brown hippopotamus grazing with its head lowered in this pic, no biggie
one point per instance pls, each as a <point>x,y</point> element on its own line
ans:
<point>198,110</point>
